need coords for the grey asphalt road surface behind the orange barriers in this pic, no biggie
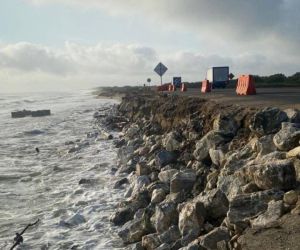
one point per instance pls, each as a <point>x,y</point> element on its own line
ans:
<point>265,97</point>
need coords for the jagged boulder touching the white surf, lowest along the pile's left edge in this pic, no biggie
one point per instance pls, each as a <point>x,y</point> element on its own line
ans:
<point>134,230</point>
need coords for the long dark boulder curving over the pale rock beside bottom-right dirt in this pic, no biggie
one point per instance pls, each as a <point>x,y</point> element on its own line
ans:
<point>243,207</point>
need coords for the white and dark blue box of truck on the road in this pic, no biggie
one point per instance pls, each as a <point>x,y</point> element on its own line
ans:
<point>218,76</point>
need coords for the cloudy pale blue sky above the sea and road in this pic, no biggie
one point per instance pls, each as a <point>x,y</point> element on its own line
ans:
<point>78,44</point>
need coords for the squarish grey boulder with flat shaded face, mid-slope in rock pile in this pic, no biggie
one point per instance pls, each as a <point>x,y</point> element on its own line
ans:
<point>183,180</point>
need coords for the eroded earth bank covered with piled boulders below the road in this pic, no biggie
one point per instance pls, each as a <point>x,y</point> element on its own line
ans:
<point>200,174</point>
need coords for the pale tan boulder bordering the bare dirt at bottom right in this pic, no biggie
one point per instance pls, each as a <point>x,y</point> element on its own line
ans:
<point>270,217</point>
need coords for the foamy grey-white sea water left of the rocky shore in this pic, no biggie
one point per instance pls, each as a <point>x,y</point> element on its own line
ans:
<point>45,185</point>
